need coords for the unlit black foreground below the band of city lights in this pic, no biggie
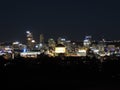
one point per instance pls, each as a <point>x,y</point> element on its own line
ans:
<point>59,73</point>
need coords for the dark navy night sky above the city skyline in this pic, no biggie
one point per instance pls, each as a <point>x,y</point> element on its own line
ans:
<point>67,18</point>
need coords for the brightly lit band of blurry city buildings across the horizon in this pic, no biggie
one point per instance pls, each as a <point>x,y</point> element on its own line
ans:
<point>60,47</point>
